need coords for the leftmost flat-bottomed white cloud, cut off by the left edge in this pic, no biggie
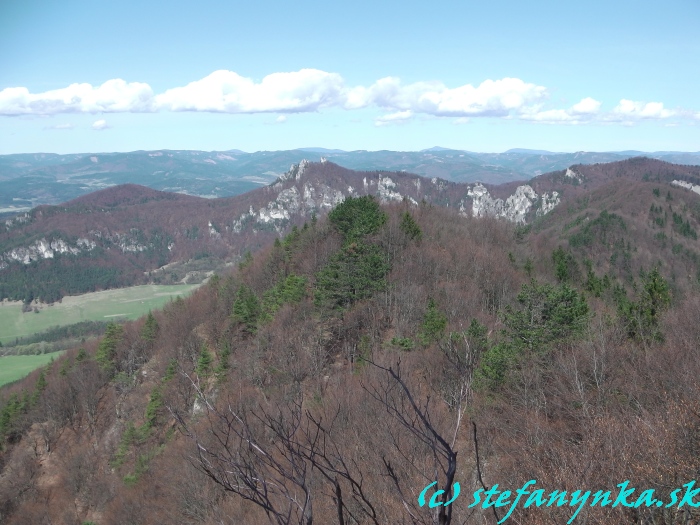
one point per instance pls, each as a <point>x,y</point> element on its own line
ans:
<point>114,96</point>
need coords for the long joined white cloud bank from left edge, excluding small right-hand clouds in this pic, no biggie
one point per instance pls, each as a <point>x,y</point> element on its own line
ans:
<point>306,90</point>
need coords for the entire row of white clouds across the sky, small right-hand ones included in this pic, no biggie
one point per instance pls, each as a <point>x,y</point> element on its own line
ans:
<point>311,90</point>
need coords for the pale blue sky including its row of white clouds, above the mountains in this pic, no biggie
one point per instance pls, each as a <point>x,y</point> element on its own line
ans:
<point>86,76</point>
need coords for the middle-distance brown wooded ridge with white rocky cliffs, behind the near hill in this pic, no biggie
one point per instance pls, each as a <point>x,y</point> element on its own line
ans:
<point>130,234</point>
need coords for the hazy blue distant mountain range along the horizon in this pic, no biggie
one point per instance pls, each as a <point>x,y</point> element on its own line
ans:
<point>28,180</point>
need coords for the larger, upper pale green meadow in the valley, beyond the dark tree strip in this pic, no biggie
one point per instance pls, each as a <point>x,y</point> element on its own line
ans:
<point>124,303</point>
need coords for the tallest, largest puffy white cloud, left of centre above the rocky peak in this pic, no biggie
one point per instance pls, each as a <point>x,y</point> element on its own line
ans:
<point>228,92</point>
